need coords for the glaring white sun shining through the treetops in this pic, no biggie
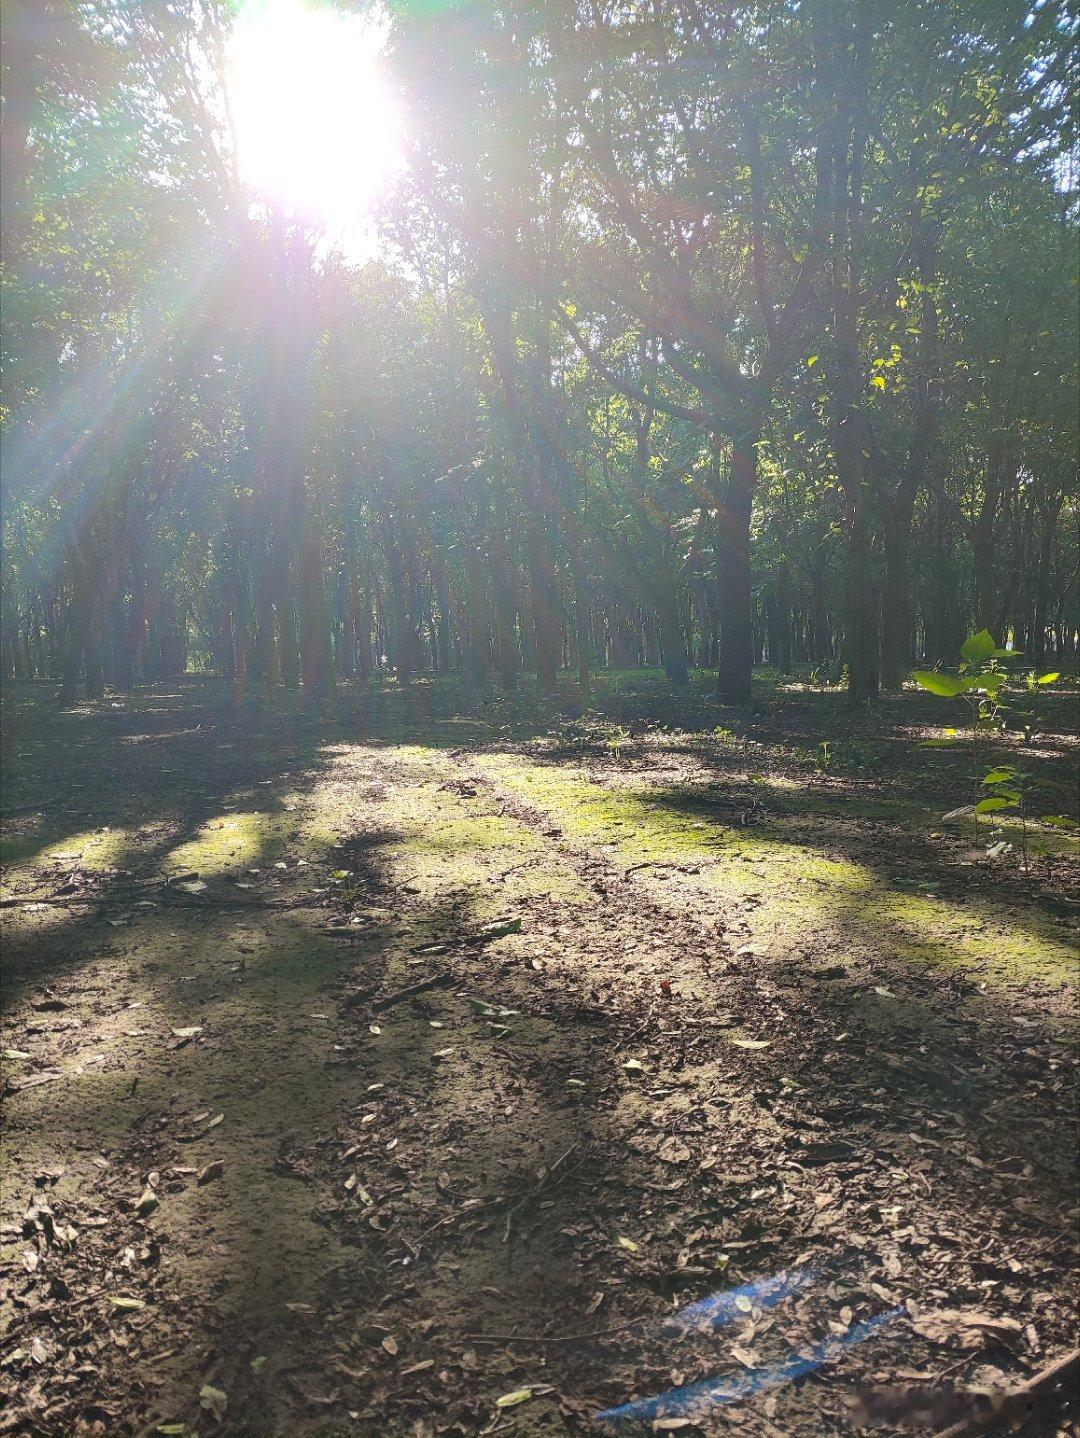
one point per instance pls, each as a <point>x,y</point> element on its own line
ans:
<point>316,123</point>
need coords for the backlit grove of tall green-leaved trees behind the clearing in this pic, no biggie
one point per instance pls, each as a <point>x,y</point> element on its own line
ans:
<point>697,334</point>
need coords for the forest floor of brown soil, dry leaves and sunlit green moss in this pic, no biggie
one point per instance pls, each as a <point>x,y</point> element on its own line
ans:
<point>703,1006</point>
